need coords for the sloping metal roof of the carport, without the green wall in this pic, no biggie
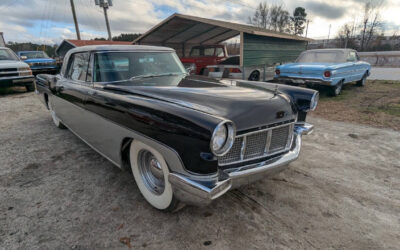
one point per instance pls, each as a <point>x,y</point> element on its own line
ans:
<point>180,28</point>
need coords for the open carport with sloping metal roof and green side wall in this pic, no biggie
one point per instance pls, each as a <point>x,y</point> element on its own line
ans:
<point>258,46</point>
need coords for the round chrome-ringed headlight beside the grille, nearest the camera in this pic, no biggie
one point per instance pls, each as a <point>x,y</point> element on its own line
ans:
<point>223,138</point>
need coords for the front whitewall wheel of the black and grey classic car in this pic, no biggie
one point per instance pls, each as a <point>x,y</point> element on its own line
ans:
<point>151,175</point>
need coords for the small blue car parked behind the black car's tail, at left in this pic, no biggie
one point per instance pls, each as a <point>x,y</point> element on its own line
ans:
<point>39,62</point>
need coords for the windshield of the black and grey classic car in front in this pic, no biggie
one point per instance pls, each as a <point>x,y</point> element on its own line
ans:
<point>125,66</point>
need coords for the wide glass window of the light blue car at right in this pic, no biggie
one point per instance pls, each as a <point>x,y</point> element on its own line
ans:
<point>321,57</point>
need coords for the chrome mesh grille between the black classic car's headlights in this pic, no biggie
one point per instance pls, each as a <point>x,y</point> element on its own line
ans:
<point>259,144</point>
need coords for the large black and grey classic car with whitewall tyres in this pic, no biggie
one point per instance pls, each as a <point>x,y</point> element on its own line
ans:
<point>186,139</point>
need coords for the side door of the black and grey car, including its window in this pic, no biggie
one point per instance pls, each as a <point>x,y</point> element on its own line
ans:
<point>71,91</point>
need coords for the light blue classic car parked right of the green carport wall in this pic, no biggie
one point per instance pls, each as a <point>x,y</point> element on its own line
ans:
<point>329,67</point>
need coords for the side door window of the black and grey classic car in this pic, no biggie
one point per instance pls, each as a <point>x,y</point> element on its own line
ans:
<point>79,64</point>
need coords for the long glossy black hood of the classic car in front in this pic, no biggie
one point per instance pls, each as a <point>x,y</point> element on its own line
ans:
<point>247,108</point>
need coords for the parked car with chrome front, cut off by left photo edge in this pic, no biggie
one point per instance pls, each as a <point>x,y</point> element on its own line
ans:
<point>14,72</point>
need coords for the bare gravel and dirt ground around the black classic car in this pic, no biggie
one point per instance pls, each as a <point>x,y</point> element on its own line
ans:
<point>57,193</point>
